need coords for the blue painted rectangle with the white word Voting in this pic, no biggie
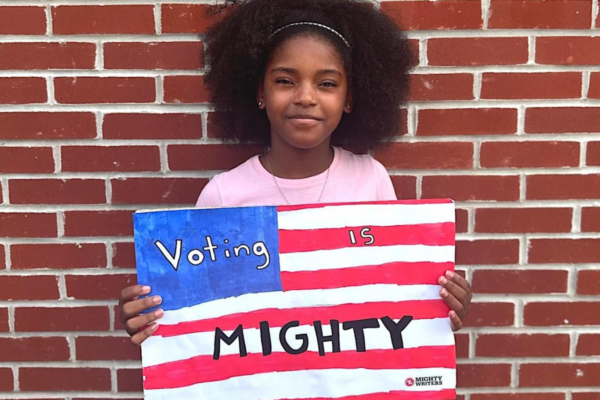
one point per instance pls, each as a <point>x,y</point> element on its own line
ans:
<point>195,256</point>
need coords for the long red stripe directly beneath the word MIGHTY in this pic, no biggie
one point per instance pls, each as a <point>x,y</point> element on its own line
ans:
<point>201,369</point>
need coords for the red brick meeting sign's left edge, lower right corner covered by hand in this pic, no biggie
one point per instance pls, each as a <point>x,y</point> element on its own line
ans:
<point>98,287</point>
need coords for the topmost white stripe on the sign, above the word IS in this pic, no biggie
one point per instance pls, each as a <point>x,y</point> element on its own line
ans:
<point>366,215</point>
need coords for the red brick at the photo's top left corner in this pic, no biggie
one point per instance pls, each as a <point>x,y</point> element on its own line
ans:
<point>22,21</point>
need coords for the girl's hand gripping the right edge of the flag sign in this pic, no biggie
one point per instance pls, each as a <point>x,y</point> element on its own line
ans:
<point>456,292</point>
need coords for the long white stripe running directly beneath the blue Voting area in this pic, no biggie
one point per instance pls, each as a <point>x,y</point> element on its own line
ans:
<point>301,299</point>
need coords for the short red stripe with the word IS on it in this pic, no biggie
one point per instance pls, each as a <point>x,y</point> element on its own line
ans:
<point>438,234</point>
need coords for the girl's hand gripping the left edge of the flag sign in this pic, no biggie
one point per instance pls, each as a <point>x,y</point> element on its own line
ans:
<point>139,327</point>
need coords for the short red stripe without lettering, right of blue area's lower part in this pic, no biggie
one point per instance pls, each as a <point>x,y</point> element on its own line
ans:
<point>400,273</point>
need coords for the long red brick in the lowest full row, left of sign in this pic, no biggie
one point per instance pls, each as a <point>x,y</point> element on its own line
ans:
<point>36,379</point>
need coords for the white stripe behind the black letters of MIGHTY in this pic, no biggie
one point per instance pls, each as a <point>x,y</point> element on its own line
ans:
<point>425,332</point>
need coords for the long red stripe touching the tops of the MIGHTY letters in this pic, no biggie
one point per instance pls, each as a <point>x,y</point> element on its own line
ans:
<point>423,309</point>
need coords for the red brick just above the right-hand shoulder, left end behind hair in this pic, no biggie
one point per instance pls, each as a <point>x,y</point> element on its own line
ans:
<point>427,155</point>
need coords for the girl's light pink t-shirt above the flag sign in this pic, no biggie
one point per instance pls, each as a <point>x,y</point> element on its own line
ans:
<point>351,178</point>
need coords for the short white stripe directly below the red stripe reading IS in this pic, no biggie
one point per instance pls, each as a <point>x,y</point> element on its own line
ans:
<point>351,257</point>
